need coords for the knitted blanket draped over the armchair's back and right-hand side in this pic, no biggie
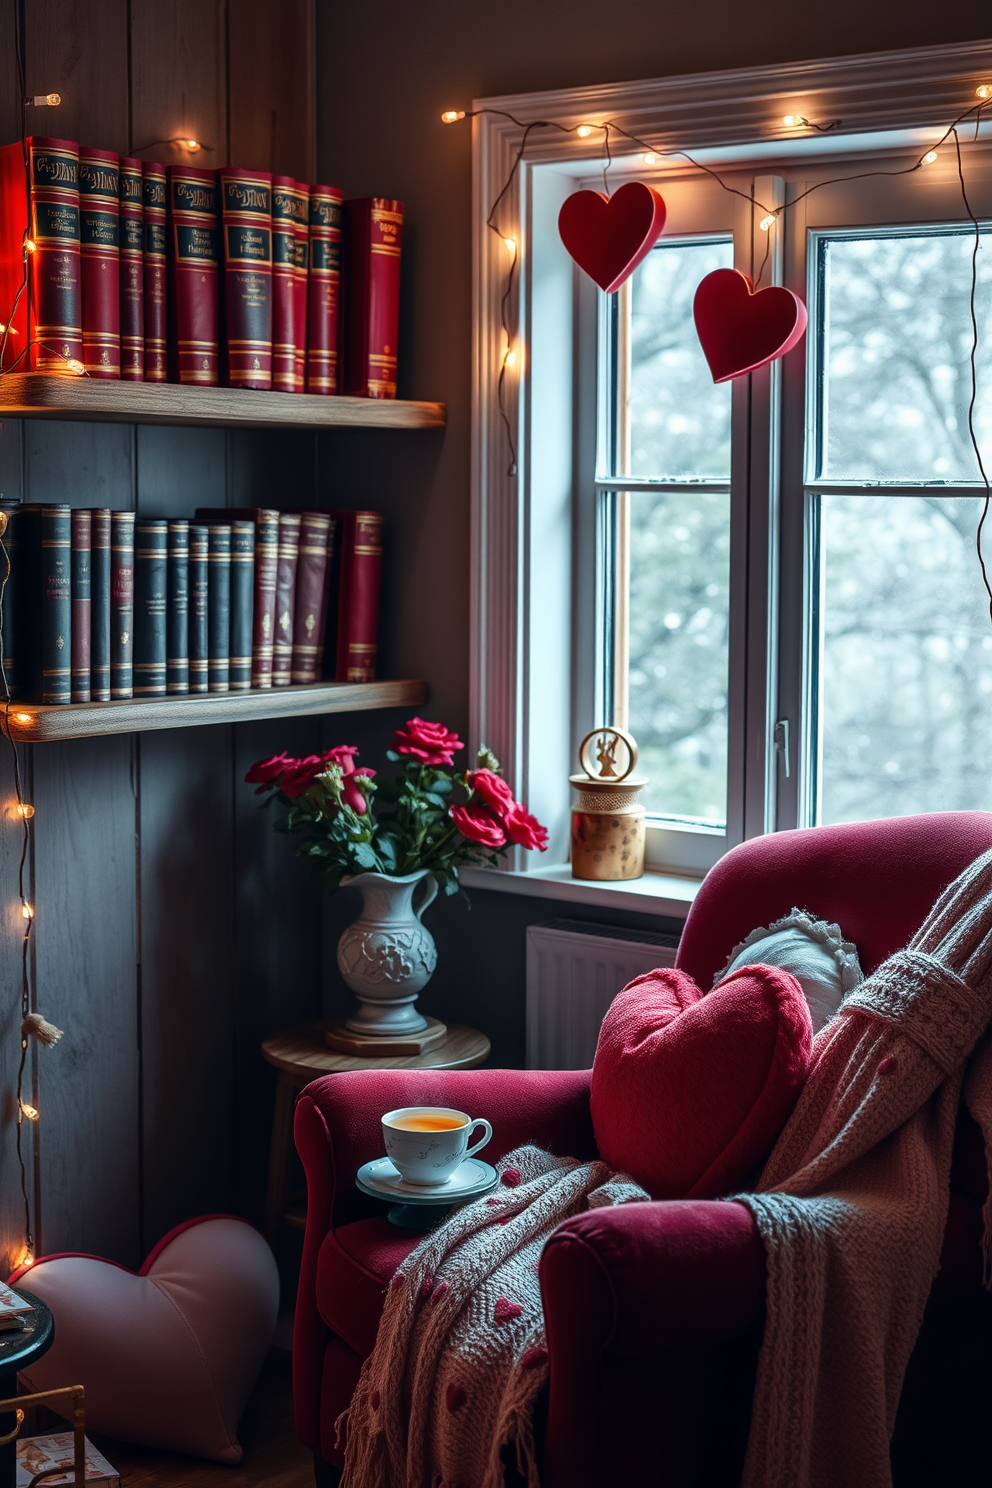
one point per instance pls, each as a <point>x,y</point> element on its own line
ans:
<point>854,1200</point>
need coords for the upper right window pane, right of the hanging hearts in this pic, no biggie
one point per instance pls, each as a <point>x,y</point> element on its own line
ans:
<point>896,358</point>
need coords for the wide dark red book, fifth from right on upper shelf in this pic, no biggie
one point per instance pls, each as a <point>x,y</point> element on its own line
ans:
<point>246,205</point>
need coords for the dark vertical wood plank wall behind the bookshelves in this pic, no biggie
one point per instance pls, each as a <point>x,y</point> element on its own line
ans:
<point>173,926</point>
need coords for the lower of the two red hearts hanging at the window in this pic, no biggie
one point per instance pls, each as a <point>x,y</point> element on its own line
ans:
<point>740,330</point>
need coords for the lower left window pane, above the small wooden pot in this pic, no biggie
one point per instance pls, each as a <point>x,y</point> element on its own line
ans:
<point>679,606</point>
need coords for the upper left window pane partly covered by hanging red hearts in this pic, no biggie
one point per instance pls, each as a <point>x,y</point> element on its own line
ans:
<point>680,423</point>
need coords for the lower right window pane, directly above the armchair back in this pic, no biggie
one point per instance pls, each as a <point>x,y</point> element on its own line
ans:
<point>906,658</point>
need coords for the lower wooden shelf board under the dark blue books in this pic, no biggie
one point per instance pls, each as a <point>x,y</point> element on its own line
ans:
<point>36,724</point>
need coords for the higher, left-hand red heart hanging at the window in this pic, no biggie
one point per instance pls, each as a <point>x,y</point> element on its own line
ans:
<point>609,236</point>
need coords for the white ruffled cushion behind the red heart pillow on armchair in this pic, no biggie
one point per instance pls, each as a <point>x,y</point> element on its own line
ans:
<point>825,965</point>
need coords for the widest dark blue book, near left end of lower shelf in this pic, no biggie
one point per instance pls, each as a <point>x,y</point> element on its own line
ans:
<point>45,603</point>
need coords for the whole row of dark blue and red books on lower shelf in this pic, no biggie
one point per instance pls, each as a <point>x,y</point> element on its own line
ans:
<point>102,605</point>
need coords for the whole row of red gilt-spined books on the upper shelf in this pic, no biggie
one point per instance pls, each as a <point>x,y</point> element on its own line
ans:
<point>178,275</point>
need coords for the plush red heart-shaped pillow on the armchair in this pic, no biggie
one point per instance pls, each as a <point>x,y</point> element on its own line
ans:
<point>691,1090</point>
